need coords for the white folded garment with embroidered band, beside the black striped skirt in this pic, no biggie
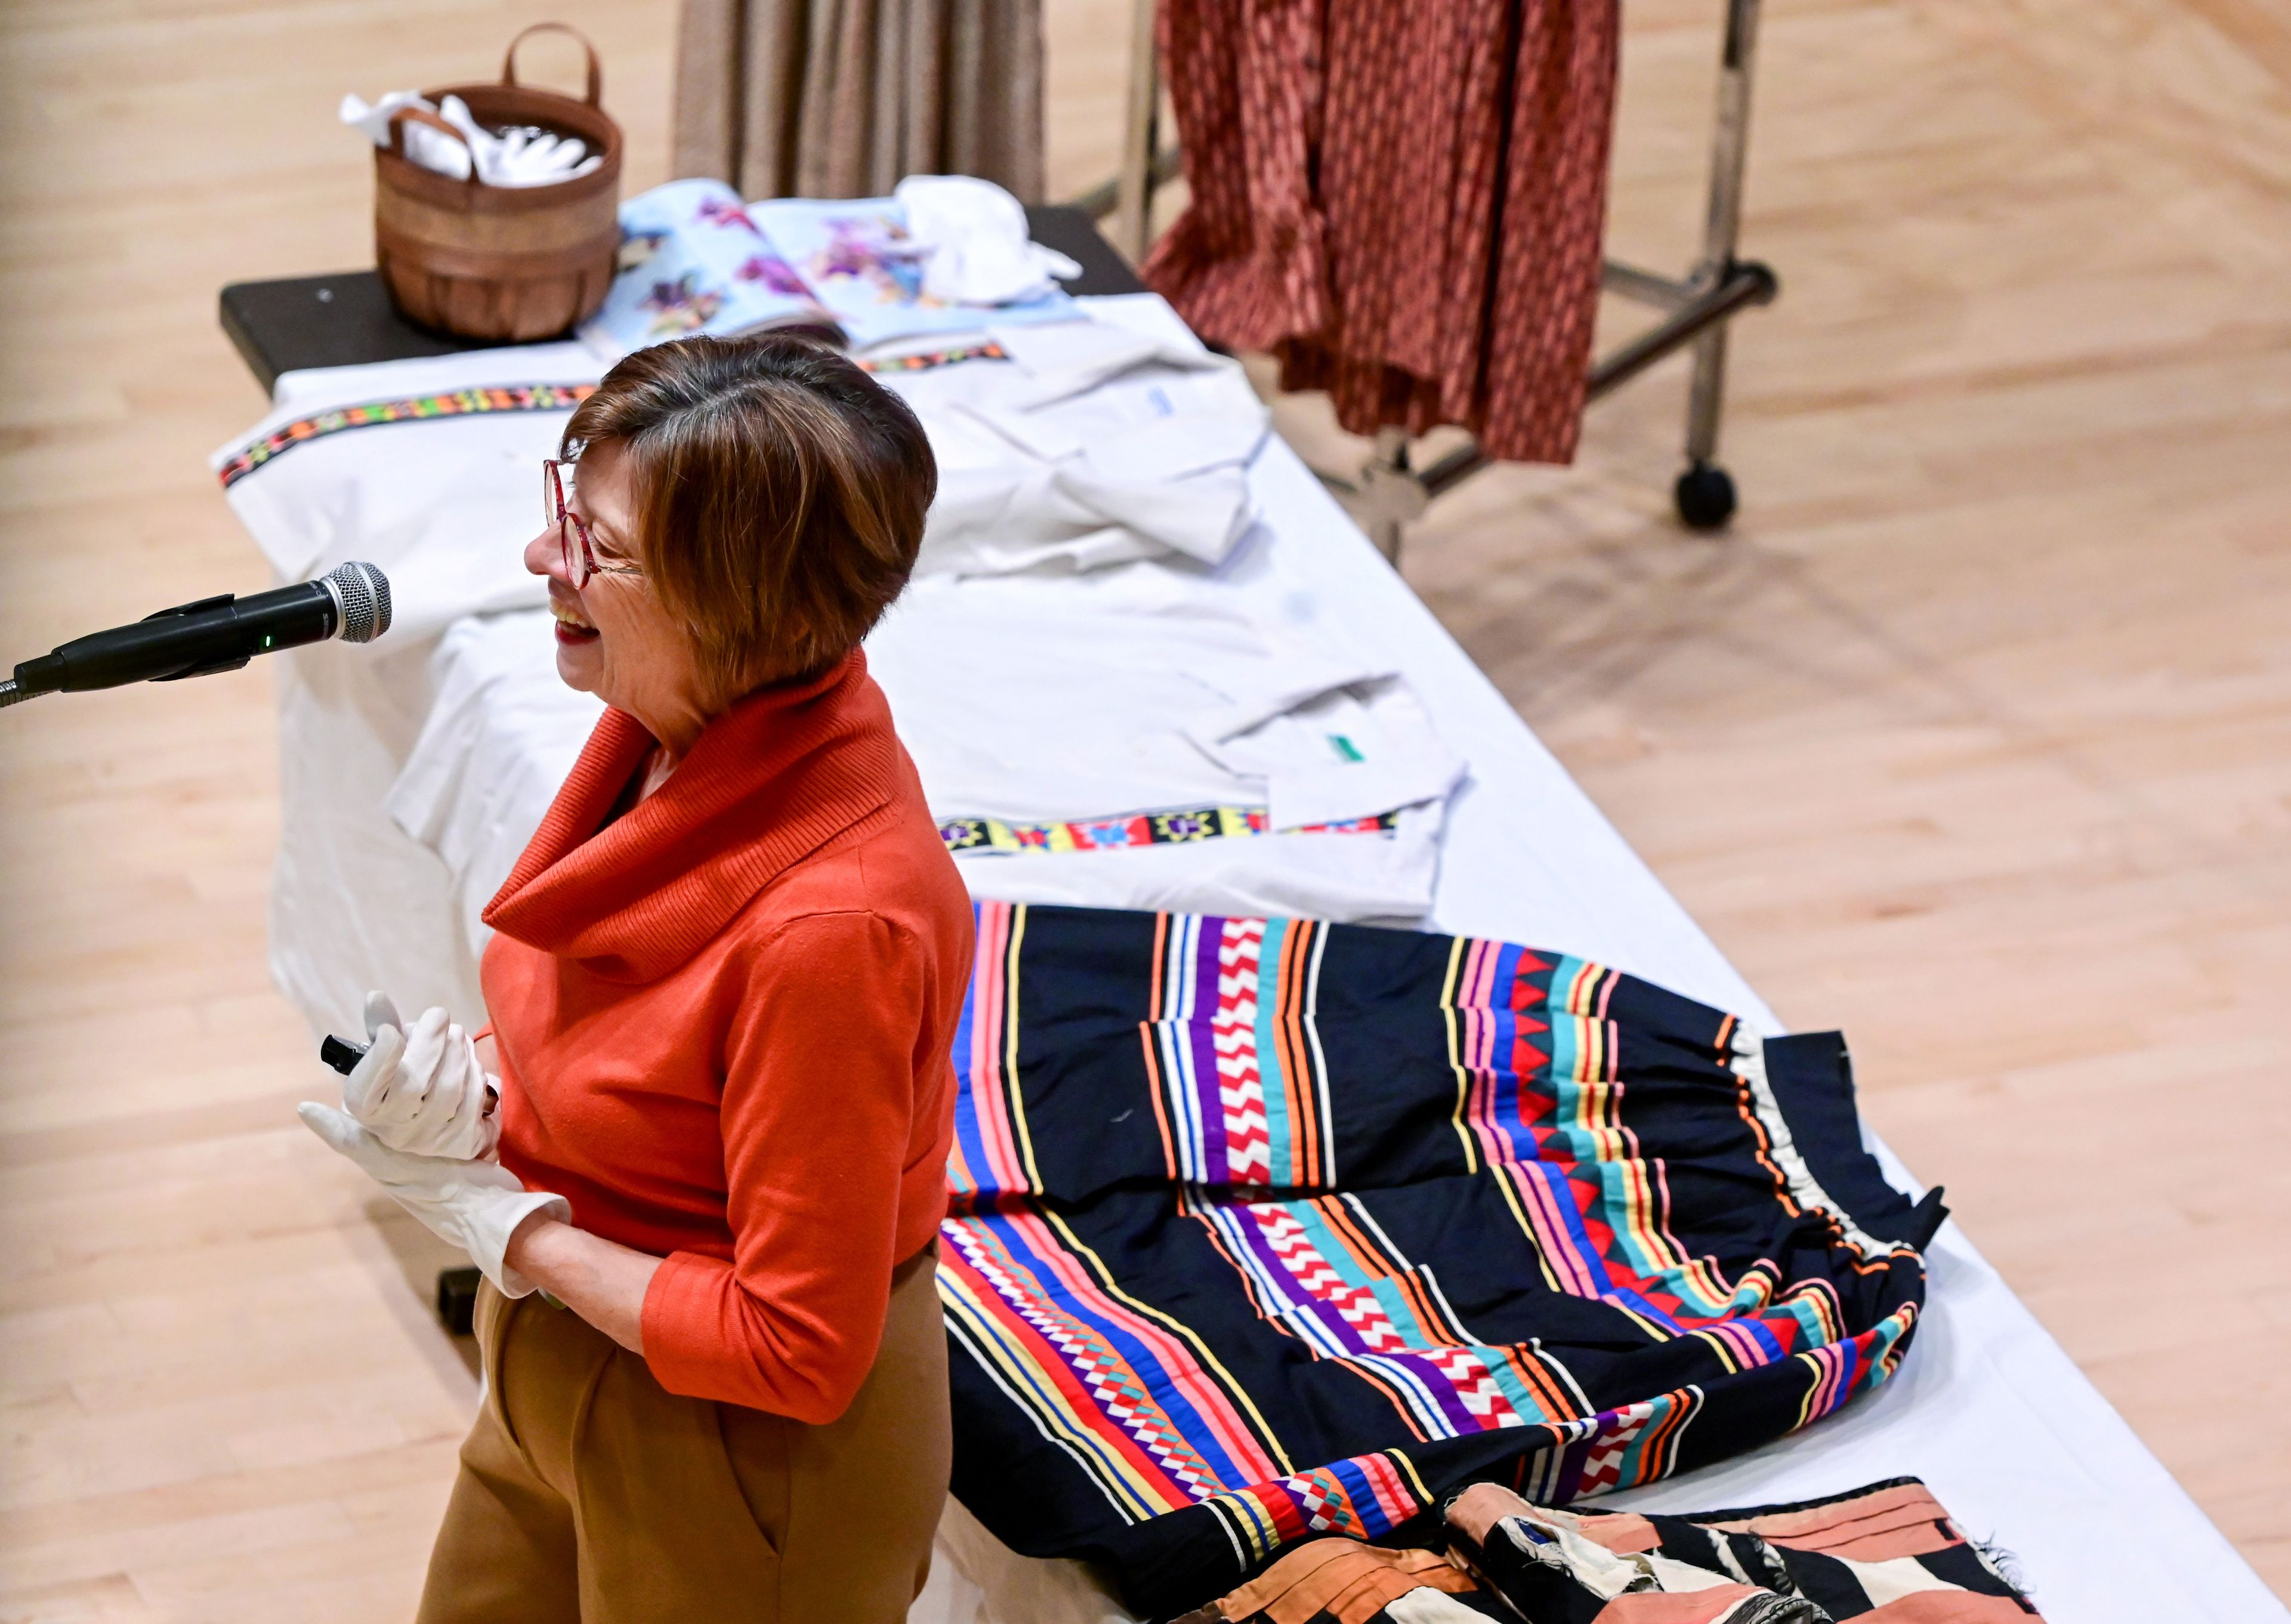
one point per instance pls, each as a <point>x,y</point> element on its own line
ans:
<point>1071,711</point>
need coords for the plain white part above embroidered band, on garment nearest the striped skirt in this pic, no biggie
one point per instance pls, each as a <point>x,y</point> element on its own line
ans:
<point>1140,691</point>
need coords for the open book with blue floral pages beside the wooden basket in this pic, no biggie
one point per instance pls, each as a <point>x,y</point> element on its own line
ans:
<point>695,258</point>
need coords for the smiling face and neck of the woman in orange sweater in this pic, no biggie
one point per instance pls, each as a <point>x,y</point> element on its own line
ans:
<point>615,640</point>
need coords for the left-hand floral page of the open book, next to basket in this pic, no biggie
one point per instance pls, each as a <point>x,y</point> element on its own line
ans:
<point>695,262</point>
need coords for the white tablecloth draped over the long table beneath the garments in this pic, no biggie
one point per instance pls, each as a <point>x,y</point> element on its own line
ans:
<point>1987,1408</point>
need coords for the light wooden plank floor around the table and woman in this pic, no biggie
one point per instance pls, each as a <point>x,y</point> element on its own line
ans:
<point>1974,741</point>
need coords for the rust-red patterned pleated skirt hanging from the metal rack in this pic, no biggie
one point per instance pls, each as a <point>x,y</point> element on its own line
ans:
<point>1403,203</point>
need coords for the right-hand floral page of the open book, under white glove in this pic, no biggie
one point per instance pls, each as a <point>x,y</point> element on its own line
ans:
<point>867,271</point>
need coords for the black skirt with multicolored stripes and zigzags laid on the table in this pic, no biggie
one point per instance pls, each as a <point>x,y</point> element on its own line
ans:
<point>1273,1229</point>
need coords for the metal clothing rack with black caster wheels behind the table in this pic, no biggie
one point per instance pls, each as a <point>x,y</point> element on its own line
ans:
<point>1696,308</point>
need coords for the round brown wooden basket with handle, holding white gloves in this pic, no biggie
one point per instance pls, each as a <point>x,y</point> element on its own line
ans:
<point>501,262</point>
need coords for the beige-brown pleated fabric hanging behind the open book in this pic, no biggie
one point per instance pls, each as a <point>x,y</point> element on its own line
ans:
<point>849,97</point>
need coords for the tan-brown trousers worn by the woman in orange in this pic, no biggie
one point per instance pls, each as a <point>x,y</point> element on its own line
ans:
<point>590,1495</point>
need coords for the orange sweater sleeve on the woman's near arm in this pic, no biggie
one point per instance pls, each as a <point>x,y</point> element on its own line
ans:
<point>819,1105</point>
